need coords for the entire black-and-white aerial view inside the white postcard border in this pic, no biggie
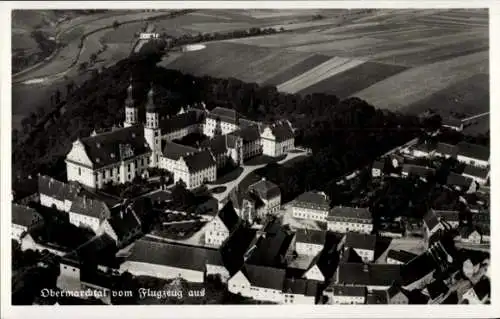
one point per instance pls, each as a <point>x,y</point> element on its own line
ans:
<point>250,156</point>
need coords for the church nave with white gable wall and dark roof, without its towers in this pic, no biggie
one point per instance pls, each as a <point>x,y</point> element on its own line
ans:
<point>116,156</point>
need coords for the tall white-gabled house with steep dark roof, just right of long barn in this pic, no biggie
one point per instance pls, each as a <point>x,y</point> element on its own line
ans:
<point>221,226</point>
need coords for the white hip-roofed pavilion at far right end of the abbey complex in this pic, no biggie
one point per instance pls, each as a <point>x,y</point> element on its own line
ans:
<point>277,139</point>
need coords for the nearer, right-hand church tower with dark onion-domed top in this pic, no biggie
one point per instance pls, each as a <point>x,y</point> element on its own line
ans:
<point>152,131</point>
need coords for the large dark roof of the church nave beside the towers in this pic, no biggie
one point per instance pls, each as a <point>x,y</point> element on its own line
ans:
<point>116,145</point>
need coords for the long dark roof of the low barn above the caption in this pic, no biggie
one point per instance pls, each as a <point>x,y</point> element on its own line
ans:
<point>148,250</point>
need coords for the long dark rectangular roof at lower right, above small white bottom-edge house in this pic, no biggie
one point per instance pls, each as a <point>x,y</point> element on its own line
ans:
<point>368,275</point>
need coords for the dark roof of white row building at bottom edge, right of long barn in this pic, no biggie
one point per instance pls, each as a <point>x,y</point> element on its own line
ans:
<point>265,277</point>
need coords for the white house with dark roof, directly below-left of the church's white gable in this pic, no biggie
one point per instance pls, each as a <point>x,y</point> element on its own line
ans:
<point>54,192</point>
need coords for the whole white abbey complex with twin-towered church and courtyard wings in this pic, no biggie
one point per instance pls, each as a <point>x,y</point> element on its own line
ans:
<point>120,154</point>
